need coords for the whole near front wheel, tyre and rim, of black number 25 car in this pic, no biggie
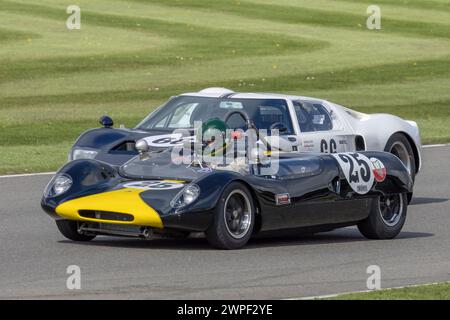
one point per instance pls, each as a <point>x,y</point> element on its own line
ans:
<point>234,218</point>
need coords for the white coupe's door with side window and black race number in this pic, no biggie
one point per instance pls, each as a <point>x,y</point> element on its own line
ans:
<point>321,130</point>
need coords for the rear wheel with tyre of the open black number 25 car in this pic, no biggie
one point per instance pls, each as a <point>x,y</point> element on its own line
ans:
<point>386,218</point>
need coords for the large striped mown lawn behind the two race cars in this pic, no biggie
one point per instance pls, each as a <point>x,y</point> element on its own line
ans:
<point>130,56</point>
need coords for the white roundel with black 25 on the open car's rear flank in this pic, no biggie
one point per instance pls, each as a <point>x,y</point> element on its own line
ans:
<point>358,171</point>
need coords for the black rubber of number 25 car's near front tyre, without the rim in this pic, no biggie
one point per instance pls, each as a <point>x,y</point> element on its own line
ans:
<point>218,234</point>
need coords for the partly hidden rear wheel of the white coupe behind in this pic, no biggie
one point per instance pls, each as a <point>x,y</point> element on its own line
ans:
<point>399,146</point>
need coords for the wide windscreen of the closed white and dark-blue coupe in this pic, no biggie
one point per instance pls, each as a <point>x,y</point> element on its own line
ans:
<point>183,111</point>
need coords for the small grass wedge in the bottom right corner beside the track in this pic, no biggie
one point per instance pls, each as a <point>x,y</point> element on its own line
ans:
<point>425,292</point>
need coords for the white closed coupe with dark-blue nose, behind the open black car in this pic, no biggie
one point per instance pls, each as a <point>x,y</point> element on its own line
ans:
<point>305,125</point>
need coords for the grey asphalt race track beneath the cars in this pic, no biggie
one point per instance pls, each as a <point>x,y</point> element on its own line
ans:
<point>34,256</point>
